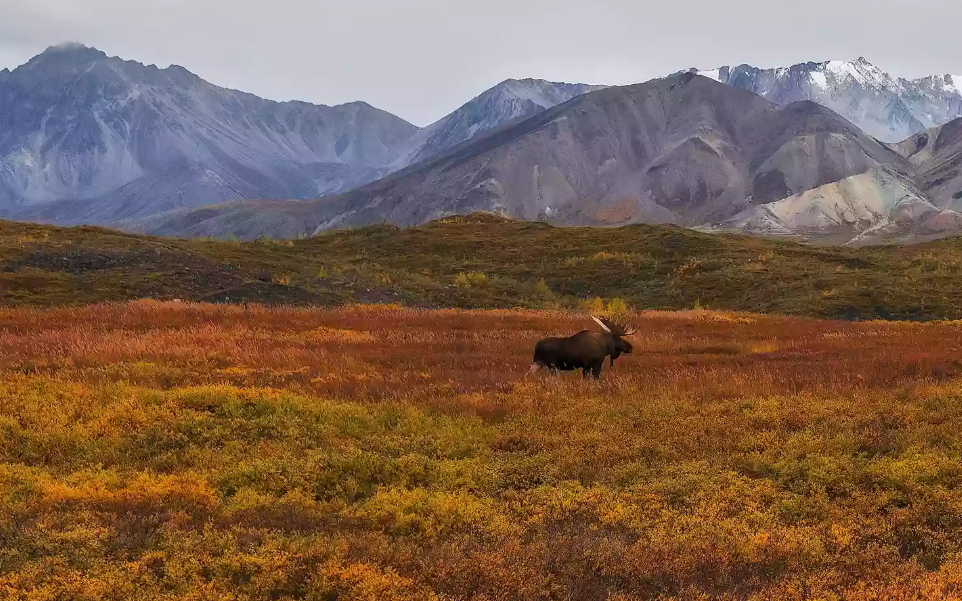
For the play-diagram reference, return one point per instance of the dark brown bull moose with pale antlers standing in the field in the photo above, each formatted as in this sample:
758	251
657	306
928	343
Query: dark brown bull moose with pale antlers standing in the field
585	350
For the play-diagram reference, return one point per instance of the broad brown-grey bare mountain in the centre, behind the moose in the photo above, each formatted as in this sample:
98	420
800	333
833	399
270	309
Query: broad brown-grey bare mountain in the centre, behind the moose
684	150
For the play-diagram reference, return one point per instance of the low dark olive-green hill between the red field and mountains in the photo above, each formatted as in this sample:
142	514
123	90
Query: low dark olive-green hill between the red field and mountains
482	261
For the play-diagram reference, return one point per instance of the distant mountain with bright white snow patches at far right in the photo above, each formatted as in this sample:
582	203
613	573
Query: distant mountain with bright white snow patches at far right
887	107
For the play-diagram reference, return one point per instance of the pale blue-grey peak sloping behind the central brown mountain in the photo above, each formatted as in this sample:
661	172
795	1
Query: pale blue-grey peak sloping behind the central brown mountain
509	101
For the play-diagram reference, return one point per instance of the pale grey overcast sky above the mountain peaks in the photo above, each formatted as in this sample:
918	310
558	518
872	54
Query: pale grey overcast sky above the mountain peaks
420	59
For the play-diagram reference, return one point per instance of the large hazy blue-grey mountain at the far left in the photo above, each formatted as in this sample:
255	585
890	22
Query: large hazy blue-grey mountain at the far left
86	138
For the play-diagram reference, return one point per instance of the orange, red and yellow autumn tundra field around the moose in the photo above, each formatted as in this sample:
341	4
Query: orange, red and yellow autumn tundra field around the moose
176	451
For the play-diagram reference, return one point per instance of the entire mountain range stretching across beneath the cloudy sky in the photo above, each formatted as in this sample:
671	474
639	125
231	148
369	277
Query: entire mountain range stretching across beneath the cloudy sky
85	138
